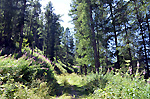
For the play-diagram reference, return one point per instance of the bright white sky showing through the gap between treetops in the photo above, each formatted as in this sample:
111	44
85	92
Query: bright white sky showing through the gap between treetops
61	7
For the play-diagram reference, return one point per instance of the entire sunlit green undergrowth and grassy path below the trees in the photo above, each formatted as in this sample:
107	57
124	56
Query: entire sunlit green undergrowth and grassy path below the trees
34	78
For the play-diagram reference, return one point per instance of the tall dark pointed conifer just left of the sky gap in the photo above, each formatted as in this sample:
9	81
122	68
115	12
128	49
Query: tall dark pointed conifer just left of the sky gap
51	27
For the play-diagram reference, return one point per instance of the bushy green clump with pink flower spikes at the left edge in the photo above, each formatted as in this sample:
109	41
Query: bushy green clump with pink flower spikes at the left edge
19	70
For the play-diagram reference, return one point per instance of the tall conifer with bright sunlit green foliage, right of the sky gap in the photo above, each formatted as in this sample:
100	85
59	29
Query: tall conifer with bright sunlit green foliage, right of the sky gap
82	12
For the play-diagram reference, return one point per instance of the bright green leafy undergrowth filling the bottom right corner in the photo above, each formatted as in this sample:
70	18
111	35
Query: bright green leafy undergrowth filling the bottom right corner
123	86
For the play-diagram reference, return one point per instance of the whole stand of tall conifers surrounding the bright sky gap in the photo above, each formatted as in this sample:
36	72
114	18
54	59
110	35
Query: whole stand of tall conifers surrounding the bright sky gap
107	33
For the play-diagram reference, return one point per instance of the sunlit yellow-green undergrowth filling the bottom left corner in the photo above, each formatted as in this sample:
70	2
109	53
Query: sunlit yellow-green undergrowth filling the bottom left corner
20	91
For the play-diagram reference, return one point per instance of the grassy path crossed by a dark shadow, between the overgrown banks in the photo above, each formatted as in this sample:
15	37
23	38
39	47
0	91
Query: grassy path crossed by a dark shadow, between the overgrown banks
72	86
